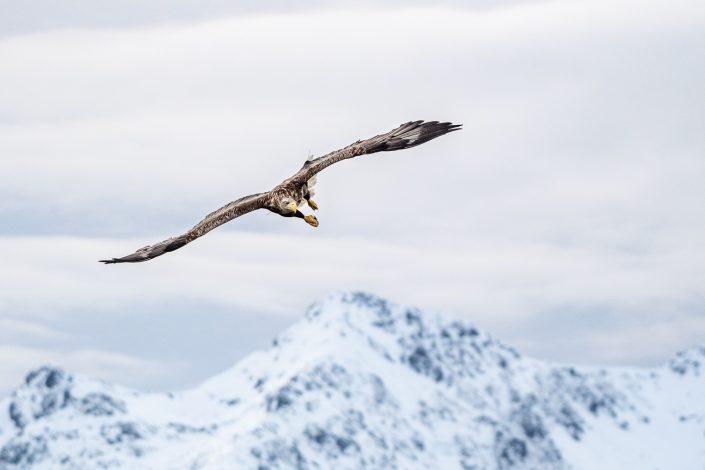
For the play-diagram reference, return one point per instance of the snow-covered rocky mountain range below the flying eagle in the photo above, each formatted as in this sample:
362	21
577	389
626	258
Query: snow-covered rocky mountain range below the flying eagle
364	383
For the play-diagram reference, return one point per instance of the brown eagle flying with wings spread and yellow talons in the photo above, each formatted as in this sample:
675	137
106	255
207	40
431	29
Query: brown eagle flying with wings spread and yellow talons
291	194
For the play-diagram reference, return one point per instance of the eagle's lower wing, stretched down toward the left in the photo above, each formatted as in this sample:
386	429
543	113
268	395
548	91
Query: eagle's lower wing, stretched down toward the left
223	215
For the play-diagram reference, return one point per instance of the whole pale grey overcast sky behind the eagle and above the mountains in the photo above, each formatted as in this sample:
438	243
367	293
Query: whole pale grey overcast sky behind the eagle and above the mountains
567	218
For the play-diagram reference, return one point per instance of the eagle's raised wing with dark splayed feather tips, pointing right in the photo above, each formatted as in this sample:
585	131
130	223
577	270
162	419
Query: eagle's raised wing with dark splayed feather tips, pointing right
405	136
